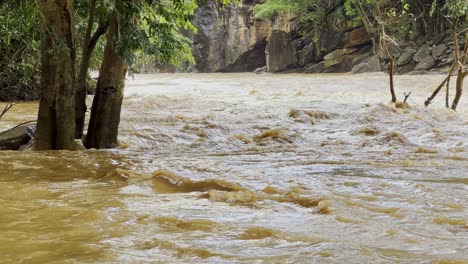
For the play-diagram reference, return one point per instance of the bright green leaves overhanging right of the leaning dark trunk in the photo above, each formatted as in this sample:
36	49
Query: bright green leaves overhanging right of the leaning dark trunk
155	28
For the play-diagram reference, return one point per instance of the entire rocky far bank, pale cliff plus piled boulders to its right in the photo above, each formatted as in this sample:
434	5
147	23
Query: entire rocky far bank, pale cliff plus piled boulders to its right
235	41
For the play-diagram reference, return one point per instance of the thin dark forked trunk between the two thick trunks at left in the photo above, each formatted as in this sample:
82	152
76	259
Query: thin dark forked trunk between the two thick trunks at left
89	43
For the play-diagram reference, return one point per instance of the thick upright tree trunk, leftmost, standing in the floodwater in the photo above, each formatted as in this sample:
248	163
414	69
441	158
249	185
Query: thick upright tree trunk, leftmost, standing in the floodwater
56	117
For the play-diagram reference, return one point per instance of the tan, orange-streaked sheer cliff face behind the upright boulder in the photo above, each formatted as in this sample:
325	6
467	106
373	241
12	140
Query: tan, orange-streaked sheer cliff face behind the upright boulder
233	41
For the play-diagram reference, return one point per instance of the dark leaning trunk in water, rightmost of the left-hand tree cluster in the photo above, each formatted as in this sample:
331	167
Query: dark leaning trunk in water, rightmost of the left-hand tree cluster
105	114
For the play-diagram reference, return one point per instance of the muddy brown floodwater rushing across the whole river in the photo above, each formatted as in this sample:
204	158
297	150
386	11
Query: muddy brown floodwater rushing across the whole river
244	168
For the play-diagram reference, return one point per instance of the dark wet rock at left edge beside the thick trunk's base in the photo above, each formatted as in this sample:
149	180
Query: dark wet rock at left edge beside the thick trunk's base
14	138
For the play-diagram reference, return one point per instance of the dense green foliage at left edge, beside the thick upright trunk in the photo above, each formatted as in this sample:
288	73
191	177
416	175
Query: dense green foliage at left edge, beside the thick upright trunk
19	48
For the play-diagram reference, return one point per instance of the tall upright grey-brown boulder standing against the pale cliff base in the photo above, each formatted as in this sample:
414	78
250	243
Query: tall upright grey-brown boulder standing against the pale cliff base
280	53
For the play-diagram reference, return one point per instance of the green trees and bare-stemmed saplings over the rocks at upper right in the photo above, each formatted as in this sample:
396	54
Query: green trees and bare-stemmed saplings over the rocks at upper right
388	24
